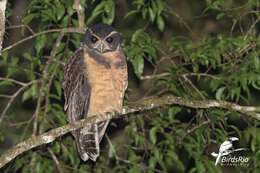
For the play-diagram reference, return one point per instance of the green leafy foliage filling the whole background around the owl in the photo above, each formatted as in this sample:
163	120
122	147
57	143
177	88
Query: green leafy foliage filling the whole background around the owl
222	64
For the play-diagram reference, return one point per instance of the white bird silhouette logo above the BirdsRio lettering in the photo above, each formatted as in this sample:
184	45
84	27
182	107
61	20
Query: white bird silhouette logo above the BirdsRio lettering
226	148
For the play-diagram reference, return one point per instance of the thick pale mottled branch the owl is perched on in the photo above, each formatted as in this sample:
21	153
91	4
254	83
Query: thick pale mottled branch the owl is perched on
143	105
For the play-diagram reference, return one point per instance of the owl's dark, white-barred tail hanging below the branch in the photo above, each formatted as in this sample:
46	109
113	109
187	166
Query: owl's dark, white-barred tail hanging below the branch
88	139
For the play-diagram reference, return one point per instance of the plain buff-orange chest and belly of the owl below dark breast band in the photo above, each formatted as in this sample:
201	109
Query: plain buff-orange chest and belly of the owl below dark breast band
107	86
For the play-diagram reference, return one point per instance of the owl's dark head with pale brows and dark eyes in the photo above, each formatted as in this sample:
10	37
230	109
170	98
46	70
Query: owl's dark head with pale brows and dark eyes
102	38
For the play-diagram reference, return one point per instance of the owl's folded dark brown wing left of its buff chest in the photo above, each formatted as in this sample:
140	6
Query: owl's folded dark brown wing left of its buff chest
76	87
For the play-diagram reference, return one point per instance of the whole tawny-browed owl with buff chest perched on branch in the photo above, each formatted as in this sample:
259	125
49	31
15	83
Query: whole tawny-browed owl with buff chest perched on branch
94	83
